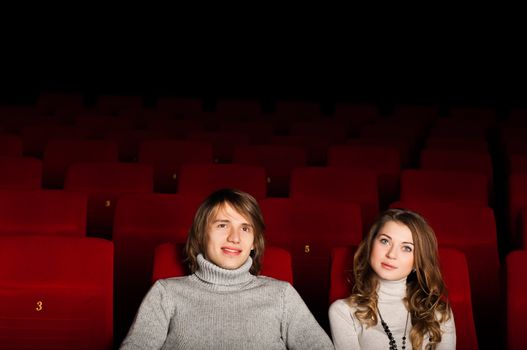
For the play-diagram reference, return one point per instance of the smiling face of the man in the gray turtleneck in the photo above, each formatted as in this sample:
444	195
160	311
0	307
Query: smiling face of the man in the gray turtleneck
229	238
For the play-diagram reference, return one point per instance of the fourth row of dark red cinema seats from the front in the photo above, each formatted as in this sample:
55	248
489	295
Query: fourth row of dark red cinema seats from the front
166	156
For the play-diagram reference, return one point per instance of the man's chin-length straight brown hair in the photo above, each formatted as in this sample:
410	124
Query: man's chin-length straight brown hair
245	205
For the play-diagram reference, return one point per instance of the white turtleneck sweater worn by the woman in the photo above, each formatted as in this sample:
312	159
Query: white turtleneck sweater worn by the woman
349	333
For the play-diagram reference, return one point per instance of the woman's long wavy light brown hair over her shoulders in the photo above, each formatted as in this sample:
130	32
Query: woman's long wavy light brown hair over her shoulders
426	295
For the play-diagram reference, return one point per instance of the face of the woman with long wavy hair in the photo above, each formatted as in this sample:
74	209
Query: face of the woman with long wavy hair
392	254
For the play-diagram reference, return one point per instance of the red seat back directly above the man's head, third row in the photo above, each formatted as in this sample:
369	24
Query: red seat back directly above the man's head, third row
203	179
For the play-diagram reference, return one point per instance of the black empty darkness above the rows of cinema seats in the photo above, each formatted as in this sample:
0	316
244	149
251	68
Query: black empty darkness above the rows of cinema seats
448	58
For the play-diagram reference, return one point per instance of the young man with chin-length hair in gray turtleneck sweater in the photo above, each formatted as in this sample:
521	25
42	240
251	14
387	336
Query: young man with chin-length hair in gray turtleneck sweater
224	304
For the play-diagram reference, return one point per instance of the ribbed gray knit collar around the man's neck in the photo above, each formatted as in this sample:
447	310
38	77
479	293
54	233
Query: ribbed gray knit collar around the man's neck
215	275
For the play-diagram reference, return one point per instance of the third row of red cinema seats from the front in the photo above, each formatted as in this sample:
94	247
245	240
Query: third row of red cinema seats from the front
104	182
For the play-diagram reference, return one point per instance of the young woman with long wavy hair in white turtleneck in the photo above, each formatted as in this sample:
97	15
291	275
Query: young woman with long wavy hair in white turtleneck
399	297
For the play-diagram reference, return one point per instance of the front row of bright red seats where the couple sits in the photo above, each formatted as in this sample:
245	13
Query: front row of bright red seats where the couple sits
67	302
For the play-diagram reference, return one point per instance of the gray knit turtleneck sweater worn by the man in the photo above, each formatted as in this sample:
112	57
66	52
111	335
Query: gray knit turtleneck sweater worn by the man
215	308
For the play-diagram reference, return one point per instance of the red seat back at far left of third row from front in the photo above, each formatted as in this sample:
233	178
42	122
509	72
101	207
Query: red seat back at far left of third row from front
20	172
